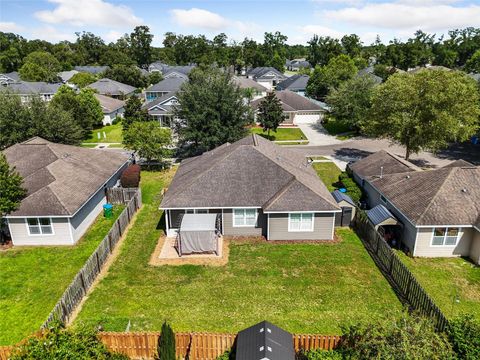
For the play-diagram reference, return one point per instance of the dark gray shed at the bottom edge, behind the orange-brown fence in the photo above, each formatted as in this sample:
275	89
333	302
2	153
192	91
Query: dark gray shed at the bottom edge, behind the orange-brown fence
264	341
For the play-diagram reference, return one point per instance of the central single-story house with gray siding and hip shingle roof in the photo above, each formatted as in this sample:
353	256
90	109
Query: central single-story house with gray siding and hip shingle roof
258	188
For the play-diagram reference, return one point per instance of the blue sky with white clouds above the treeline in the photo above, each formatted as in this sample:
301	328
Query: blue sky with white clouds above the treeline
56	20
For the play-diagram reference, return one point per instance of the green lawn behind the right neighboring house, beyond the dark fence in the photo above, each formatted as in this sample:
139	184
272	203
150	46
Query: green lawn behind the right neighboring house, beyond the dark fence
453	283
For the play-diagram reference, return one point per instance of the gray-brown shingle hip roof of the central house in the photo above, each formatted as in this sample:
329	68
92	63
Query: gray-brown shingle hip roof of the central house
250	172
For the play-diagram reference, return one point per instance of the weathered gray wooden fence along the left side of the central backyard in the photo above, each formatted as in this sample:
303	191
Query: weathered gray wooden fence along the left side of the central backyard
84	279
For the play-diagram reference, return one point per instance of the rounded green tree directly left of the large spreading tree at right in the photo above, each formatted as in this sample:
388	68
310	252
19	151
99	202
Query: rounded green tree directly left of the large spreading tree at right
352	101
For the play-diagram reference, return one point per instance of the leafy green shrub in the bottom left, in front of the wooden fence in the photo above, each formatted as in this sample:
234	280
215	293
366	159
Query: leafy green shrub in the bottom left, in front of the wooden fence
59	343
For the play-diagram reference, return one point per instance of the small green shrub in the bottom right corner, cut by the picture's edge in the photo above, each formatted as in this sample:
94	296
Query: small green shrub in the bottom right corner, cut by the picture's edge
464	335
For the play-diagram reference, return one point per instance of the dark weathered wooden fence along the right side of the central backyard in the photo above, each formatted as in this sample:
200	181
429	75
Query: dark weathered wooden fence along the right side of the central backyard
397	272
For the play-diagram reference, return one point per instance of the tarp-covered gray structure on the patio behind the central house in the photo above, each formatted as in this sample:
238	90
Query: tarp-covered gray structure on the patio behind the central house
198	234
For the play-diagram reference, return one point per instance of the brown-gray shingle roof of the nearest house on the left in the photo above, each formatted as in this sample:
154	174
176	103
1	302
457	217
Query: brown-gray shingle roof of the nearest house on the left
60	178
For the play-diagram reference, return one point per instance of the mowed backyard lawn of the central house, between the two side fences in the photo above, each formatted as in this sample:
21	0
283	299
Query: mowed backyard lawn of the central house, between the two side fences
305	288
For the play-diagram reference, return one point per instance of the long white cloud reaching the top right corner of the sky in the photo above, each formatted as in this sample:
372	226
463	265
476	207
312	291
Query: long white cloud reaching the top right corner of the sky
408	15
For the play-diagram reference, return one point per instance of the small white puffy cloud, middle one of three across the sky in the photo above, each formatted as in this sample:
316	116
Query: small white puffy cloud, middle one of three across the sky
199	18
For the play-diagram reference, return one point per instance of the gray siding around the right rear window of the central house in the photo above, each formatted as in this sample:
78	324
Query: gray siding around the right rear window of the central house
322	228
